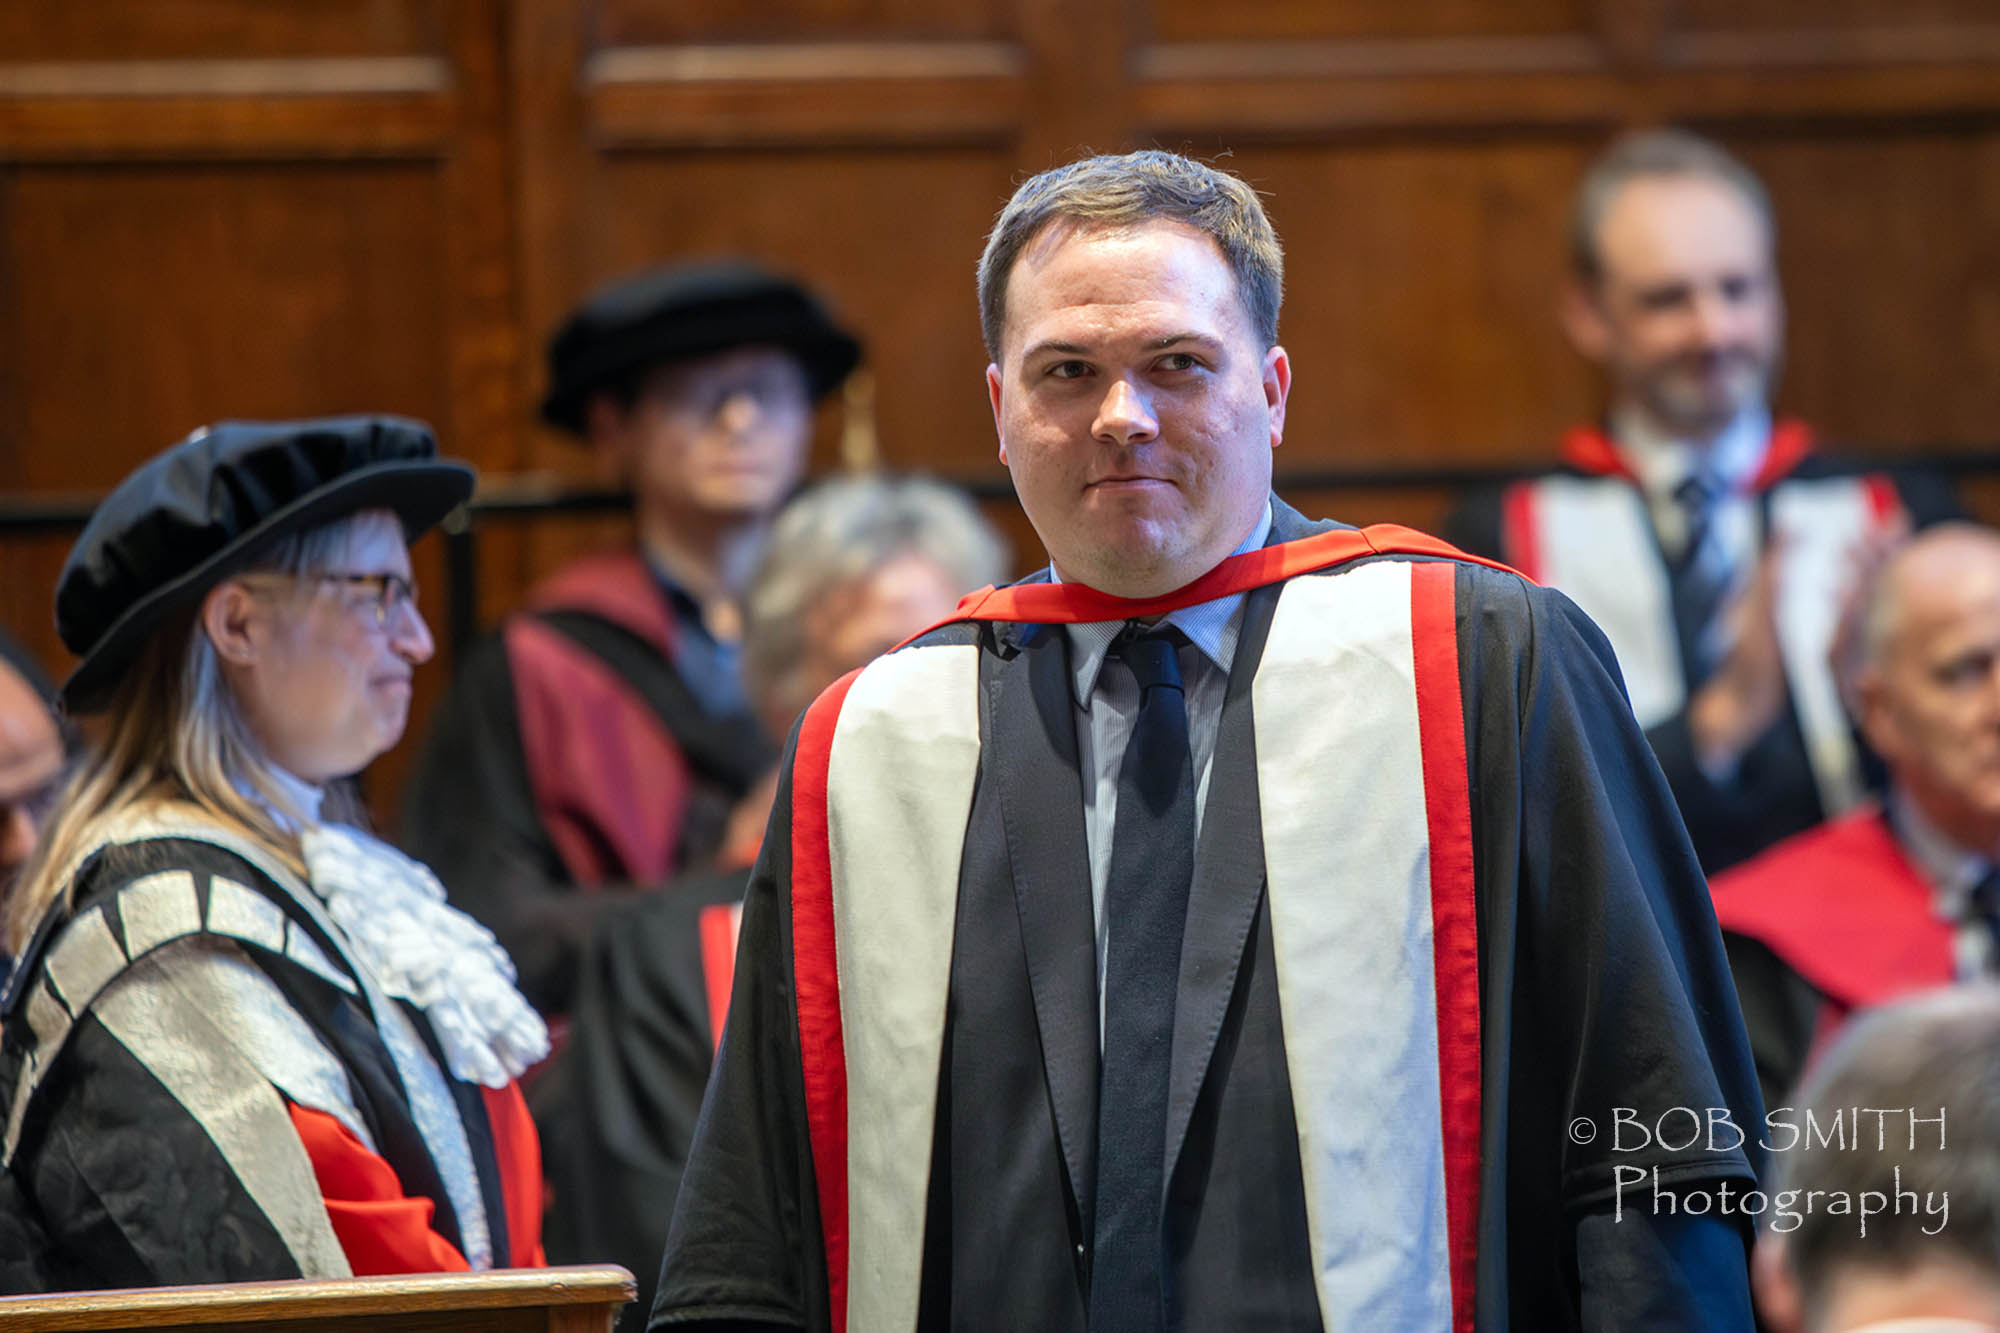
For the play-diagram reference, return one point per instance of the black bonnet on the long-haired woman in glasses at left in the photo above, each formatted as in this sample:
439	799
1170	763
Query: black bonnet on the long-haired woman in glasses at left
203	509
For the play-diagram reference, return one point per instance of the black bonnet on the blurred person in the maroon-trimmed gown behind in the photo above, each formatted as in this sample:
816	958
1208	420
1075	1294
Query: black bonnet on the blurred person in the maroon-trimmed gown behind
687	311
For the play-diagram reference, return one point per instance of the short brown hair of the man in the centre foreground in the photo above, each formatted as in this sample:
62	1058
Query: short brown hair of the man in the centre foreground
1127	191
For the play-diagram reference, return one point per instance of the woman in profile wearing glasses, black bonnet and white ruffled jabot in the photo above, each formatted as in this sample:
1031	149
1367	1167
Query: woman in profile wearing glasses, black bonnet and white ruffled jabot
245	1040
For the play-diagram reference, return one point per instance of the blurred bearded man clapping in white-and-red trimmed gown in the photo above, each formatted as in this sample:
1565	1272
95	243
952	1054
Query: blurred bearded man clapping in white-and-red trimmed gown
1709	541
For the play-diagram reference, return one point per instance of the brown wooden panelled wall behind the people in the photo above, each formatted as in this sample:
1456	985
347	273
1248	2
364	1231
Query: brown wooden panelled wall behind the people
261	209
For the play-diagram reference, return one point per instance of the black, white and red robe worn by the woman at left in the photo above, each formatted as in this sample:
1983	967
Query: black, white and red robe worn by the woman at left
201	1082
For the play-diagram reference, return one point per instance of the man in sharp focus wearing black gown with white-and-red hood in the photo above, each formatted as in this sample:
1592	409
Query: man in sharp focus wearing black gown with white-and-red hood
1333	1028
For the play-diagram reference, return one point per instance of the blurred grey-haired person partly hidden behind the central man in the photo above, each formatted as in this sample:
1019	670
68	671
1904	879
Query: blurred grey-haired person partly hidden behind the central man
855	567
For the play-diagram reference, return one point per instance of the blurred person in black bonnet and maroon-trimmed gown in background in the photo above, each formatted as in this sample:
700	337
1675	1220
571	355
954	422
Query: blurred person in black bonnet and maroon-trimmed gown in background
601	740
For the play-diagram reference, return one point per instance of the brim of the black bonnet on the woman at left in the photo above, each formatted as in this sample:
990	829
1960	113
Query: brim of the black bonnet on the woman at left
419	491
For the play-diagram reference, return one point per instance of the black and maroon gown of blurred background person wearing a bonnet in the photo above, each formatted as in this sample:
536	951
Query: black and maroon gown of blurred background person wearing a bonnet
539	846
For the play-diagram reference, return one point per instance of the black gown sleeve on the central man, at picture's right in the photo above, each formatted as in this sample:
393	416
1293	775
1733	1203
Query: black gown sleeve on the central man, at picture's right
1605	986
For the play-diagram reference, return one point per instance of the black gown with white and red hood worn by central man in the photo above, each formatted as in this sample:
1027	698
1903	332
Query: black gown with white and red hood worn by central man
1445	926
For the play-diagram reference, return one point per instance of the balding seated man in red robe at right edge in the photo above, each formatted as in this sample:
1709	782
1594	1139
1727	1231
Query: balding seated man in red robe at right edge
1901	896
